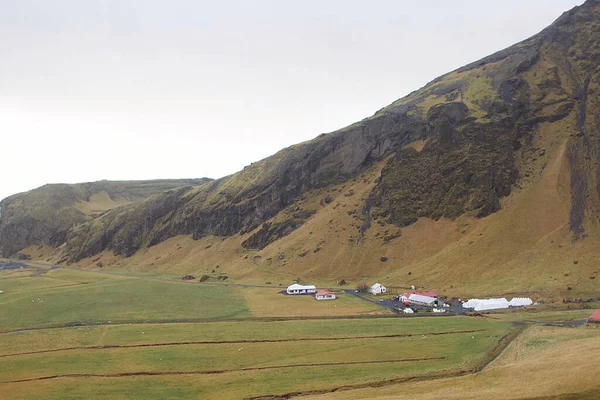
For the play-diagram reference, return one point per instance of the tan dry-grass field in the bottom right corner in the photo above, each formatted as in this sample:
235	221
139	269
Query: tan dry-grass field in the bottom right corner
544	363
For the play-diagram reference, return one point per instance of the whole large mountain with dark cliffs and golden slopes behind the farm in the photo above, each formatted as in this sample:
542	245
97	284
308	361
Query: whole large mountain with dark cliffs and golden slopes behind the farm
487	179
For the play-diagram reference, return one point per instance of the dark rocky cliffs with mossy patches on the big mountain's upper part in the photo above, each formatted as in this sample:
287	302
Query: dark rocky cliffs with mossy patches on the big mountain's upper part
476	127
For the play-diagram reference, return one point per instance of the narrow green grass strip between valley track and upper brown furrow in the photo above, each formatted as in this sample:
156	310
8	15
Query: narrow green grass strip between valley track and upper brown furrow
139	334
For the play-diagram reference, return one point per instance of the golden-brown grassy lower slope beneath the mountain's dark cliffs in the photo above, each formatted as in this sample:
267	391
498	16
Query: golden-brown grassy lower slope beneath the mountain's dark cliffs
525	248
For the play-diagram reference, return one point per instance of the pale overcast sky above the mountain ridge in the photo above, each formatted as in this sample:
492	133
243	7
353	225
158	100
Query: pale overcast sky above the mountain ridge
146	89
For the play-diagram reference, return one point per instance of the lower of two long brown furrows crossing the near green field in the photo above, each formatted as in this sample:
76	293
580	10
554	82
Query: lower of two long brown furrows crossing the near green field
220	371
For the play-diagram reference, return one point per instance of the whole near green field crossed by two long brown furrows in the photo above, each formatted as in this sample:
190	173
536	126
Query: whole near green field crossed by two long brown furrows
236	359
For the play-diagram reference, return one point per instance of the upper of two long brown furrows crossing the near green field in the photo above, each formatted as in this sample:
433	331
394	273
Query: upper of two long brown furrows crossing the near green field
247	341
